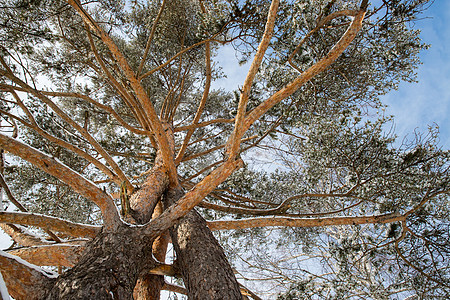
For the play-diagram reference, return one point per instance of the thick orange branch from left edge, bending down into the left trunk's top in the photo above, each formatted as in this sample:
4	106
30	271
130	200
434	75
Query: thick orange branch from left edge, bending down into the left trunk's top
57	169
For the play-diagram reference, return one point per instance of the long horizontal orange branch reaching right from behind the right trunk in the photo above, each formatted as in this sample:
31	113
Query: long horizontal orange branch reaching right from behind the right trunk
303	222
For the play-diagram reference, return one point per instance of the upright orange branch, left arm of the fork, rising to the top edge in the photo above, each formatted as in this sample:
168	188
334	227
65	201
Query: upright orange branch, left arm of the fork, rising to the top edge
239	129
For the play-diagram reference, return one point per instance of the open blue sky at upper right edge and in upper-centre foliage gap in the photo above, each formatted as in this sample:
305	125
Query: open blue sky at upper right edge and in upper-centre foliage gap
414	105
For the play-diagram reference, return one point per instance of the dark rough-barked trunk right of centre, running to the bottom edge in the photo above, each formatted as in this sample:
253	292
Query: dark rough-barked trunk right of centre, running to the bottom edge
200	258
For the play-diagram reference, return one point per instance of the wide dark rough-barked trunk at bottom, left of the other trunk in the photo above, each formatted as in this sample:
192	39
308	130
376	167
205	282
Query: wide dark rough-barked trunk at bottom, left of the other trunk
108	269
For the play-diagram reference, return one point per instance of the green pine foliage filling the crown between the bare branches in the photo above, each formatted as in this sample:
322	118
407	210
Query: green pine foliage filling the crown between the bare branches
325	151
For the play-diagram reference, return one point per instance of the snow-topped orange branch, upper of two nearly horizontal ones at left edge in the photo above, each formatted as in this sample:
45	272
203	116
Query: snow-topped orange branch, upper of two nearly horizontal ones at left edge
50	223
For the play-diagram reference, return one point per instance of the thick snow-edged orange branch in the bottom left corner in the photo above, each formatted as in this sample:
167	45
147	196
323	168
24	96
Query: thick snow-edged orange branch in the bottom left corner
24	280
